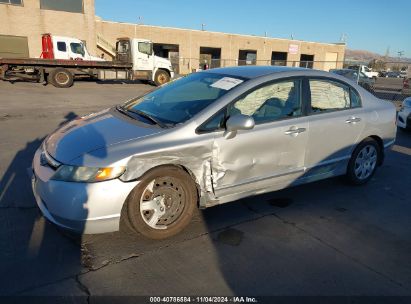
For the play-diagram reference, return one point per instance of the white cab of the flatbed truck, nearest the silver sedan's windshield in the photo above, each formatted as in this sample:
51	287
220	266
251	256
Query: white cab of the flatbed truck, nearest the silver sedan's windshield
146	65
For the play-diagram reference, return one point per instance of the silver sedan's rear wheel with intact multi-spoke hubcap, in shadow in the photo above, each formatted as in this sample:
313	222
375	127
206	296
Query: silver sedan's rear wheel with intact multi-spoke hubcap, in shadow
363	162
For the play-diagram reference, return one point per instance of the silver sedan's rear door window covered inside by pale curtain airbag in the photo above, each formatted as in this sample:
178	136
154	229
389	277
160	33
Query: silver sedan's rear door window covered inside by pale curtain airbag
328	96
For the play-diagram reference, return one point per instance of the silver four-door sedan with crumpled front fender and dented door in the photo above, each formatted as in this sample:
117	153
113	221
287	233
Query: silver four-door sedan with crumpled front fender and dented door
206	139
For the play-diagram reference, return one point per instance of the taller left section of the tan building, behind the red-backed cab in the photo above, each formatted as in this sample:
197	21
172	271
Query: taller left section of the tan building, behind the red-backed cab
22	22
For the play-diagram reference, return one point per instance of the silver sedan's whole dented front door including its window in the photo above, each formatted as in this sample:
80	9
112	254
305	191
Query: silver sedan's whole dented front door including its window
272	154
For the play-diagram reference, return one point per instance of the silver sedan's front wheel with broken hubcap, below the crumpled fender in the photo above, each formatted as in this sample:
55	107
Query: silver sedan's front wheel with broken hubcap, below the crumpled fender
163	203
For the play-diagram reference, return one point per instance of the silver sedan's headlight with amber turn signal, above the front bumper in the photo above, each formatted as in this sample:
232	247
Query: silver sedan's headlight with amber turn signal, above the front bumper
86	174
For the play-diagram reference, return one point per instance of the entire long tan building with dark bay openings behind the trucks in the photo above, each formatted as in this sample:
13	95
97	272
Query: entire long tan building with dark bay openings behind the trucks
21	26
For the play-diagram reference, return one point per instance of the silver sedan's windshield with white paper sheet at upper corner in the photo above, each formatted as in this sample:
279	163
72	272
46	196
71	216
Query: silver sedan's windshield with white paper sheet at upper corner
180	100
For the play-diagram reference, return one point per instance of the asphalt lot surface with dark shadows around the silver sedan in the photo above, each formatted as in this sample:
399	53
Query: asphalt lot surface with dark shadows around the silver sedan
326	238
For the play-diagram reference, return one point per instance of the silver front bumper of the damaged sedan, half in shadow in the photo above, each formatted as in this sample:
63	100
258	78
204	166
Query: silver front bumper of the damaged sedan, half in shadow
80	207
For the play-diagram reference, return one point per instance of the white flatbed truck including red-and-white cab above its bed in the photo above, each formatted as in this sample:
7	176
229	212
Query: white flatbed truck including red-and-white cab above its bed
63	59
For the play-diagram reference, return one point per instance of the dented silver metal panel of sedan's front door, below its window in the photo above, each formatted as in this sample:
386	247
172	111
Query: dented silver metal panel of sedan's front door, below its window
261	153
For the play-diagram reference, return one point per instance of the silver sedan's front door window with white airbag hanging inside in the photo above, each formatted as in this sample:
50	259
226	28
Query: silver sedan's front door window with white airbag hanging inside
271	102
